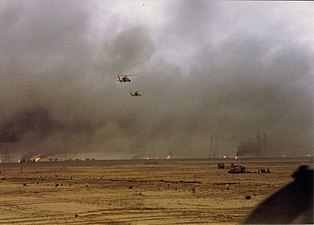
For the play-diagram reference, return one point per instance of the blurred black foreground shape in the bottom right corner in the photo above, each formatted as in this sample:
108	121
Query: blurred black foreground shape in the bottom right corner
292	204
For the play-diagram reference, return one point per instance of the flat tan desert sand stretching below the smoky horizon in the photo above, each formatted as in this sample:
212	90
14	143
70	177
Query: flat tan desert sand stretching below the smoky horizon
141	192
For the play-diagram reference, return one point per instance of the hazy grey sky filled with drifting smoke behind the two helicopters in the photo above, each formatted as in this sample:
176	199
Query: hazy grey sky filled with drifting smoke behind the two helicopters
231	68
